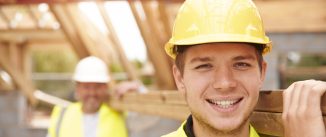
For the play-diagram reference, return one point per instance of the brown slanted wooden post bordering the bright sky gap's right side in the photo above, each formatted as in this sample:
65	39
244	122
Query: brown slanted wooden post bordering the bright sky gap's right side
155	51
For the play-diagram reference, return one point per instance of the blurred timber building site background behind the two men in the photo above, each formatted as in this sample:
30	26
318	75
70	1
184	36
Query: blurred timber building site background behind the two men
42	40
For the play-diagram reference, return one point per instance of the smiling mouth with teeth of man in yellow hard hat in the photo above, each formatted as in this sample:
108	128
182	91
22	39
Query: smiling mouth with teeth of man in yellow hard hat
225	104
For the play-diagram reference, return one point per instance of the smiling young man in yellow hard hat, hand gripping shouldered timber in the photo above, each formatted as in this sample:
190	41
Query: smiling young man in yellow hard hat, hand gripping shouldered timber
218	47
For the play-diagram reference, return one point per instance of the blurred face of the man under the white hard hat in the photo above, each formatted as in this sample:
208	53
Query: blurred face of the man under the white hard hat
91	95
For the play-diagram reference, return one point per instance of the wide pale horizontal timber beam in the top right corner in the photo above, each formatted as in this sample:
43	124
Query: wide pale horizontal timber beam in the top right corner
295	16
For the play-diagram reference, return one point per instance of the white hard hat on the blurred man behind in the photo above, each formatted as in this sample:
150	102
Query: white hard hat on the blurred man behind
91	69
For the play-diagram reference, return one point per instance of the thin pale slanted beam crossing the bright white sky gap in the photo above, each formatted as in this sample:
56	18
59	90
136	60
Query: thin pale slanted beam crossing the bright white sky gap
129	68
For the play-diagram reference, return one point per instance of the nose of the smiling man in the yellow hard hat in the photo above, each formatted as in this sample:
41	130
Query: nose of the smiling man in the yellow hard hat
223	79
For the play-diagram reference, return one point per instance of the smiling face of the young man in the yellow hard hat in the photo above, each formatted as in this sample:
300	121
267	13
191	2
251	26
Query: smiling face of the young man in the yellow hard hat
221	82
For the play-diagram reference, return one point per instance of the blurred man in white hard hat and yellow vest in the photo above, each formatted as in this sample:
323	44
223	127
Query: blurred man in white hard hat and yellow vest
89	117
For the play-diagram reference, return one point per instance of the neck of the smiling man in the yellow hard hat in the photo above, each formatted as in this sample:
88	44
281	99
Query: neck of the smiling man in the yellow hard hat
204	130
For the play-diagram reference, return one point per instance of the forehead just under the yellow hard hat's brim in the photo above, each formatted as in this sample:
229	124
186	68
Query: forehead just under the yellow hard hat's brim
220	50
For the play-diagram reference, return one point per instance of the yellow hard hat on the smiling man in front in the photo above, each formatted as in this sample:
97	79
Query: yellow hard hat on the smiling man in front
209	21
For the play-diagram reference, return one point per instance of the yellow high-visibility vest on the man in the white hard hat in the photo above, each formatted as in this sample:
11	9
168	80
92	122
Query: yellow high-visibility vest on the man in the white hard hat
111	123
